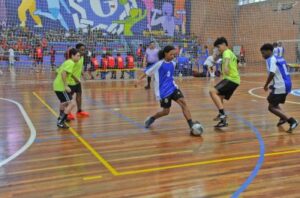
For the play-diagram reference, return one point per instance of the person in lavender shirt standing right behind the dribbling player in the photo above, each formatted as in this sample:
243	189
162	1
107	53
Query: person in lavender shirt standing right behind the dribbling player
150	58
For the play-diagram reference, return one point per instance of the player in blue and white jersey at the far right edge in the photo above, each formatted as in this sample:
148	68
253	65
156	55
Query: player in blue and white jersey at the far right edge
280	87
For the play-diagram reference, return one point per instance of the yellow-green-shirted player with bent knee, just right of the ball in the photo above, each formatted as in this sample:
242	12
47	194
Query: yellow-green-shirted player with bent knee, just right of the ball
231	80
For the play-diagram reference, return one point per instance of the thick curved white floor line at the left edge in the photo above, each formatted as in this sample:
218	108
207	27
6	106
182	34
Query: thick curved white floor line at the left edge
32	133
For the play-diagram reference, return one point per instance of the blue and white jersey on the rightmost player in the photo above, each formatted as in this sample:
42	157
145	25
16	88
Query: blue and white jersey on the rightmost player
282	83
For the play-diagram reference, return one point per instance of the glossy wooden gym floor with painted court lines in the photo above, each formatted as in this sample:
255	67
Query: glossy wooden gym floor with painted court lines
110	154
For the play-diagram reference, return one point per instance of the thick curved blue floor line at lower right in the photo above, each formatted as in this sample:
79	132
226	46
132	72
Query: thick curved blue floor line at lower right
260	160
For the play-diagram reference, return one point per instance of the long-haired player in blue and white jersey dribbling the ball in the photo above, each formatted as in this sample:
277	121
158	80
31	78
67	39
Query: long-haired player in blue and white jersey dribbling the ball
165	88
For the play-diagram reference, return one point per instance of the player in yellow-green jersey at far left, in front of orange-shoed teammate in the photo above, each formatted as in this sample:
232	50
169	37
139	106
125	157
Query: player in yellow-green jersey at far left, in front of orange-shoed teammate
61	88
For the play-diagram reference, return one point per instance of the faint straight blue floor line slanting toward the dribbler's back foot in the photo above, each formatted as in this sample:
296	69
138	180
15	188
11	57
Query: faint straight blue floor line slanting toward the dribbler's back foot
117	114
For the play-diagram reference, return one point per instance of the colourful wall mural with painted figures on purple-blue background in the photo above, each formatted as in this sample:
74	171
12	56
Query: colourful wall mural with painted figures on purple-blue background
127	17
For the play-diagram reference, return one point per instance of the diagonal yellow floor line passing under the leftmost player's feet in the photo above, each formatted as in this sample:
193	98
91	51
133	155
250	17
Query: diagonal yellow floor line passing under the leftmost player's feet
82	140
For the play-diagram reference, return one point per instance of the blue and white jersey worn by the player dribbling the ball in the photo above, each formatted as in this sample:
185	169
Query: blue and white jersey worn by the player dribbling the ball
163	73
